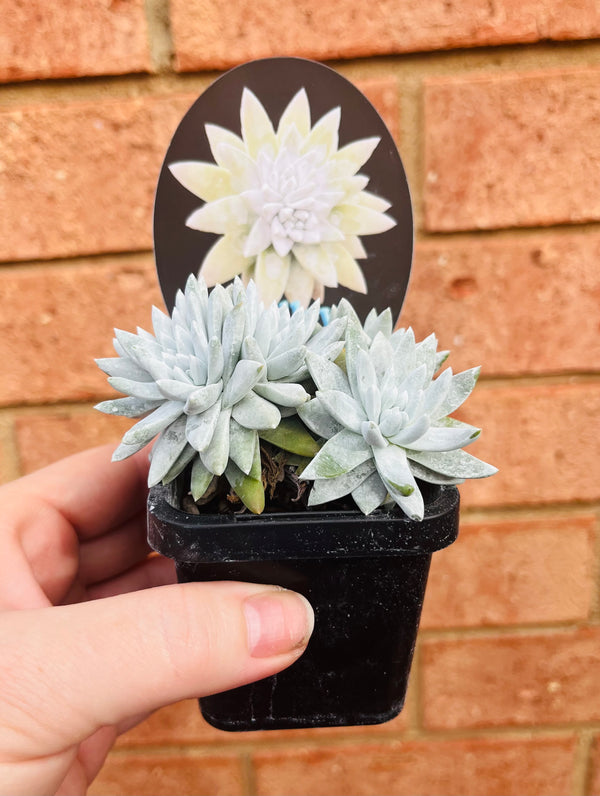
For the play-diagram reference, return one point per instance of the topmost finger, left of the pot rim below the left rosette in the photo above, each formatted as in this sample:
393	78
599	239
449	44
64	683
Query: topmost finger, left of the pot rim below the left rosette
91	492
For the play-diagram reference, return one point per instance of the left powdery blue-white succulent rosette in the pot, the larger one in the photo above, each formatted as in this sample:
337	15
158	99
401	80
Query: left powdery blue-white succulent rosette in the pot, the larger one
212	377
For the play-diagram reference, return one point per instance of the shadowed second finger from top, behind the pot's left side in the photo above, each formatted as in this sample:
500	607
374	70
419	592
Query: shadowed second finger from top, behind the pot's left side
115	552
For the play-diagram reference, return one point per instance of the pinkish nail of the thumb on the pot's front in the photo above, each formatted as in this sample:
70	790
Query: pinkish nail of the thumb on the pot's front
278	621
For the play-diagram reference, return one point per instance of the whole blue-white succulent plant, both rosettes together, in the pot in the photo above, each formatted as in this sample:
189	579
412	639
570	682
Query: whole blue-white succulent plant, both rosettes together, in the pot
358	403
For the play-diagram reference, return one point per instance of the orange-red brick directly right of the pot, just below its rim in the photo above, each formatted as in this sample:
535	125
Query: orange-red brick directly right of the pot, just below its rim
543	572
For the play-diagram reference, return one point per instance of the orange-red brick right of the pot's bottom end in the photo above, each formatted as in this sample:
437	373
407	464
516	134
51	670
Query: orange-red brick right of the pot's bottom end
542	678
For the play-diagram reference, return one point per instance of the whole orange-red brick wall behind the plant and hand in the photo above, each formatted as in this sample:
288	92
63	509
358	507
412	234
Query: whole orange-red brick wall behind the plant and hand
496	110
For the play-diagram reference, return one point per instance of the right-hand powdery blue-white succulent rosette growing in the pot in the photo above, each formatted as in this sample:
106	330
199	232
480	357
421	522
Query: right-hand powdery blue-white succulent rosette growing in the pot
386	420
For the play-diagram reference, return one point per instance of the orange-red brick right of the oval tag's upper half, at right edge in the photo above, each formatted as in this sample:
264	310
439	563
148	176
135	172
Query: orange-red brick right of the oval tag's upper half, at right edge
512	150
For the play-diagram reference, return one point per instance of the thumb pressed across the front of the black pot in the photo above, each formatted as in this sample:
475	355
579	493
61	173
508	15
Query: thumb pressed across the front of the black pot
67	671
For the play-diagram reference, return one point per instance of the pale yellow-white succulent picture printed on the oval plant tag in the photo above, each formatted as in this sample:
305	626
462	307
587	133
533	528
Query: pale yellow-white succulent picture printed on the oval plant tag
288	204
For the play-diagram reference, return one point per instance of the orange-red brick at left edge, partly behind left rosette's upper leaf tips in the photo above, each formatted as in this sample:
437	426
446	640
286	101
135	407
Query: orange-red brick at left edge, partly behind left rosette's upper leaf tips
57	319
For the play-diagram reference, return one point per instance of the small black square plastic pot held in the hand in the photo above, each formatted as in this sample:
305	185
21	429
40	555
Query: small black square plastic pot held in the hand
365	578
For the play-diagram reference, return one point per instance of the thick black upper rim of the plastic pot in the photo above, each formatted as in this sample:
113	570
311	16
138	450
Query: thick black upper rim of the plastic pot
202	538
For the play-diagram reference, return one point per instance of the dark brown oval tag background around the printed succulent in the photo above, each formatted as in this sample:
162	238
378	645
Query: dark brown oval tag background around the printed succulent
179	250
